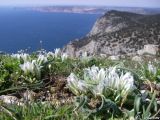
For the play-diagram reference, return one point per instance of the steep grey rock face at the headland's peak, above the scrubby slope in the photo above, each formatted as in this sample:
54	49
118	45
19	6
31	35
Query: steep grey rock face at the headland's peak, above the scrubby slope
113	21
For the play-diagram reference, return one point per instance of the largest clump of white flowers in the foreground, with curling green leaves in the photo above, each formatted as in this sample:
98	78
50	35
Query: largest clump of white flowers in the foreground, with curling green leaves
99	81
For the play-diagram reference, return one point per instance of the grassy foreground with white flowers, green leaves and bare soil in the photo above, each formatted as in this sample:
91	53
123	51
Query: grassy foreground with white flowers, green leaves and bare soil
46	85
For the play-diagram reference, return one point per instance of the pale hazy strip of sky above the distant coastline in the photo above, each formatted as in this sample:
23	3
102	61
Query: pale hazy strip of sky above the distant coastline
129	3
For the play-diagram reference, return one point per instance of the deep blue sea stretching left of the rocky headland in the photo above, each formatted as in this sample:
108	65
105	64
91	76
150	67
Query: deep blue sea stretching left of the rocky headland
24	29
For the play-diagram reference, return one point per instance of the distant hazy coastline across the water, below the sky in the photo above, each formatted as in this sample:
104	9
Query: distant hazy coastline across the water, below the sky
93	9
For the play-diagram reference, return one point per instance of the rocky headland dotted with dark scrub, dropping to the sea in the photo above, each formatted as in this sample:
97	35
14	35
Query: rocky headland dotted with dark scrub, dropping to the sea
118	33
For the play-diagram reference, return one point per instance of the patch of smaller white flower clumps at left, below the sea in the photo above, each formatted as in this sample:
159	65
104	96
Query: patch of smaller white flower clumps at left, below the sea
34	65
